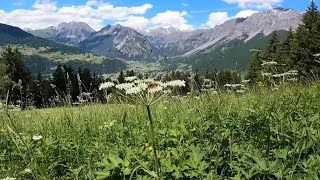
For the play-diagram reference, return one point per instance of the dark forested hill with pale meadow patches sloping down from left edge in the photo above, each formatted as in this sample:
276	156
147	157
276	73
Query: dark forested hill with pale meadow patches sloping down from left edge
43	55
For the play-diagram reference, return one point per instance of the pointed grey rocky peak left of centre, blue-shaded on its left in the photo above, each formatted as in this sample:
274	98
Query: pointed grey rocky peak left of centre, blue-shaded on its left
119	41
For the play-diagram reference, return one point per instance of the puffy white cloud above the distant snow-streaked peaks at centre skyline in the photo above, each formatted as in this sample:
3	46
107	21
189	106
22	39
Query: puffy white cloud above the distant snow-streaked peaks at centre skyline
172	19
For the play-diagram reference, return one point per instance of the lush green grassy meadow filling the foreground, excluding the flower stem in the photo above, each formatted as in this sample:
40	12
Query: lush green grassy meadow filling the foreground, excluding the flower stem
257	135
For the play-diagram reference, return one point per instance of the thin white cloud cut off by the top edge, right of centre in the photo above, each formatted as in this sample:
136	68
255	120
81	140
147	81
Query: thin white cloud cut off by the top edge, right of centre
259	4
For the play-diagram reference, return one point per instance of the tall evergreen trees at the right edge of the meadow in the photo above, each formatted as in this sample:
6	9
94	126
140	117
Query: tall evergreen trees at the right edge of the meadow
294	58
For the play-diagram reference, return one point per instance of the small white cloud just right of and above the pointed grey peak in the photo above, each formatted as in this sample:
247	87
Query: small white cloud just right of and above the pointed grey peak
135	22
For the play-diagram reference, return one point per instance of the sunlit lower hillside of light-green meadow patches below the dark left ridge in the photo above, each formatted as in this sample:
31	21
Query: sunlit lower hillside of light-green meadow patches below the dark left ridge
44	60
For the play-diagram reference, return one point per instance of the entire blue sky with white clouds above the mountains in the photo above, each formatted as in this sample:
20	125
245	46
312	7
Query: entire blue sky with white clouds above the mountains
182	14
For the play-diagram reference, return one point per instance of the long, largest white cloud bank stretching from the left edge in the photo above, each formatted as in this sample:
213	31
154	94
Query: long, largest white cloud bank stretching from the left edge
46	13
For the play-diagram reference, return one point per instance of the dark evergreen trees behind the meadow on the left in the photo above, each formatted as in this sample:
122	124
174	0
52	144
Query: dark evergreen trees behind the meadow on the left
20	87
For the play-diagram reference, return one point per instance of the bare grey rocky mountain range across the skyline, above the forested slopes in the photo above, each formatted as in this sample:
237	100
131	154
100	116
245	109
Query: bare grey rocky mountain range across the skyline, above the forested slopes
125	42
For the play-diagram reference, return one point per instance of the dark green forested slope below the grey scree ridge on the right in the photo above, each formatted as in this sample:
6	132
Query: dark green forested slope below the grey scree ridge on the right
234	55
